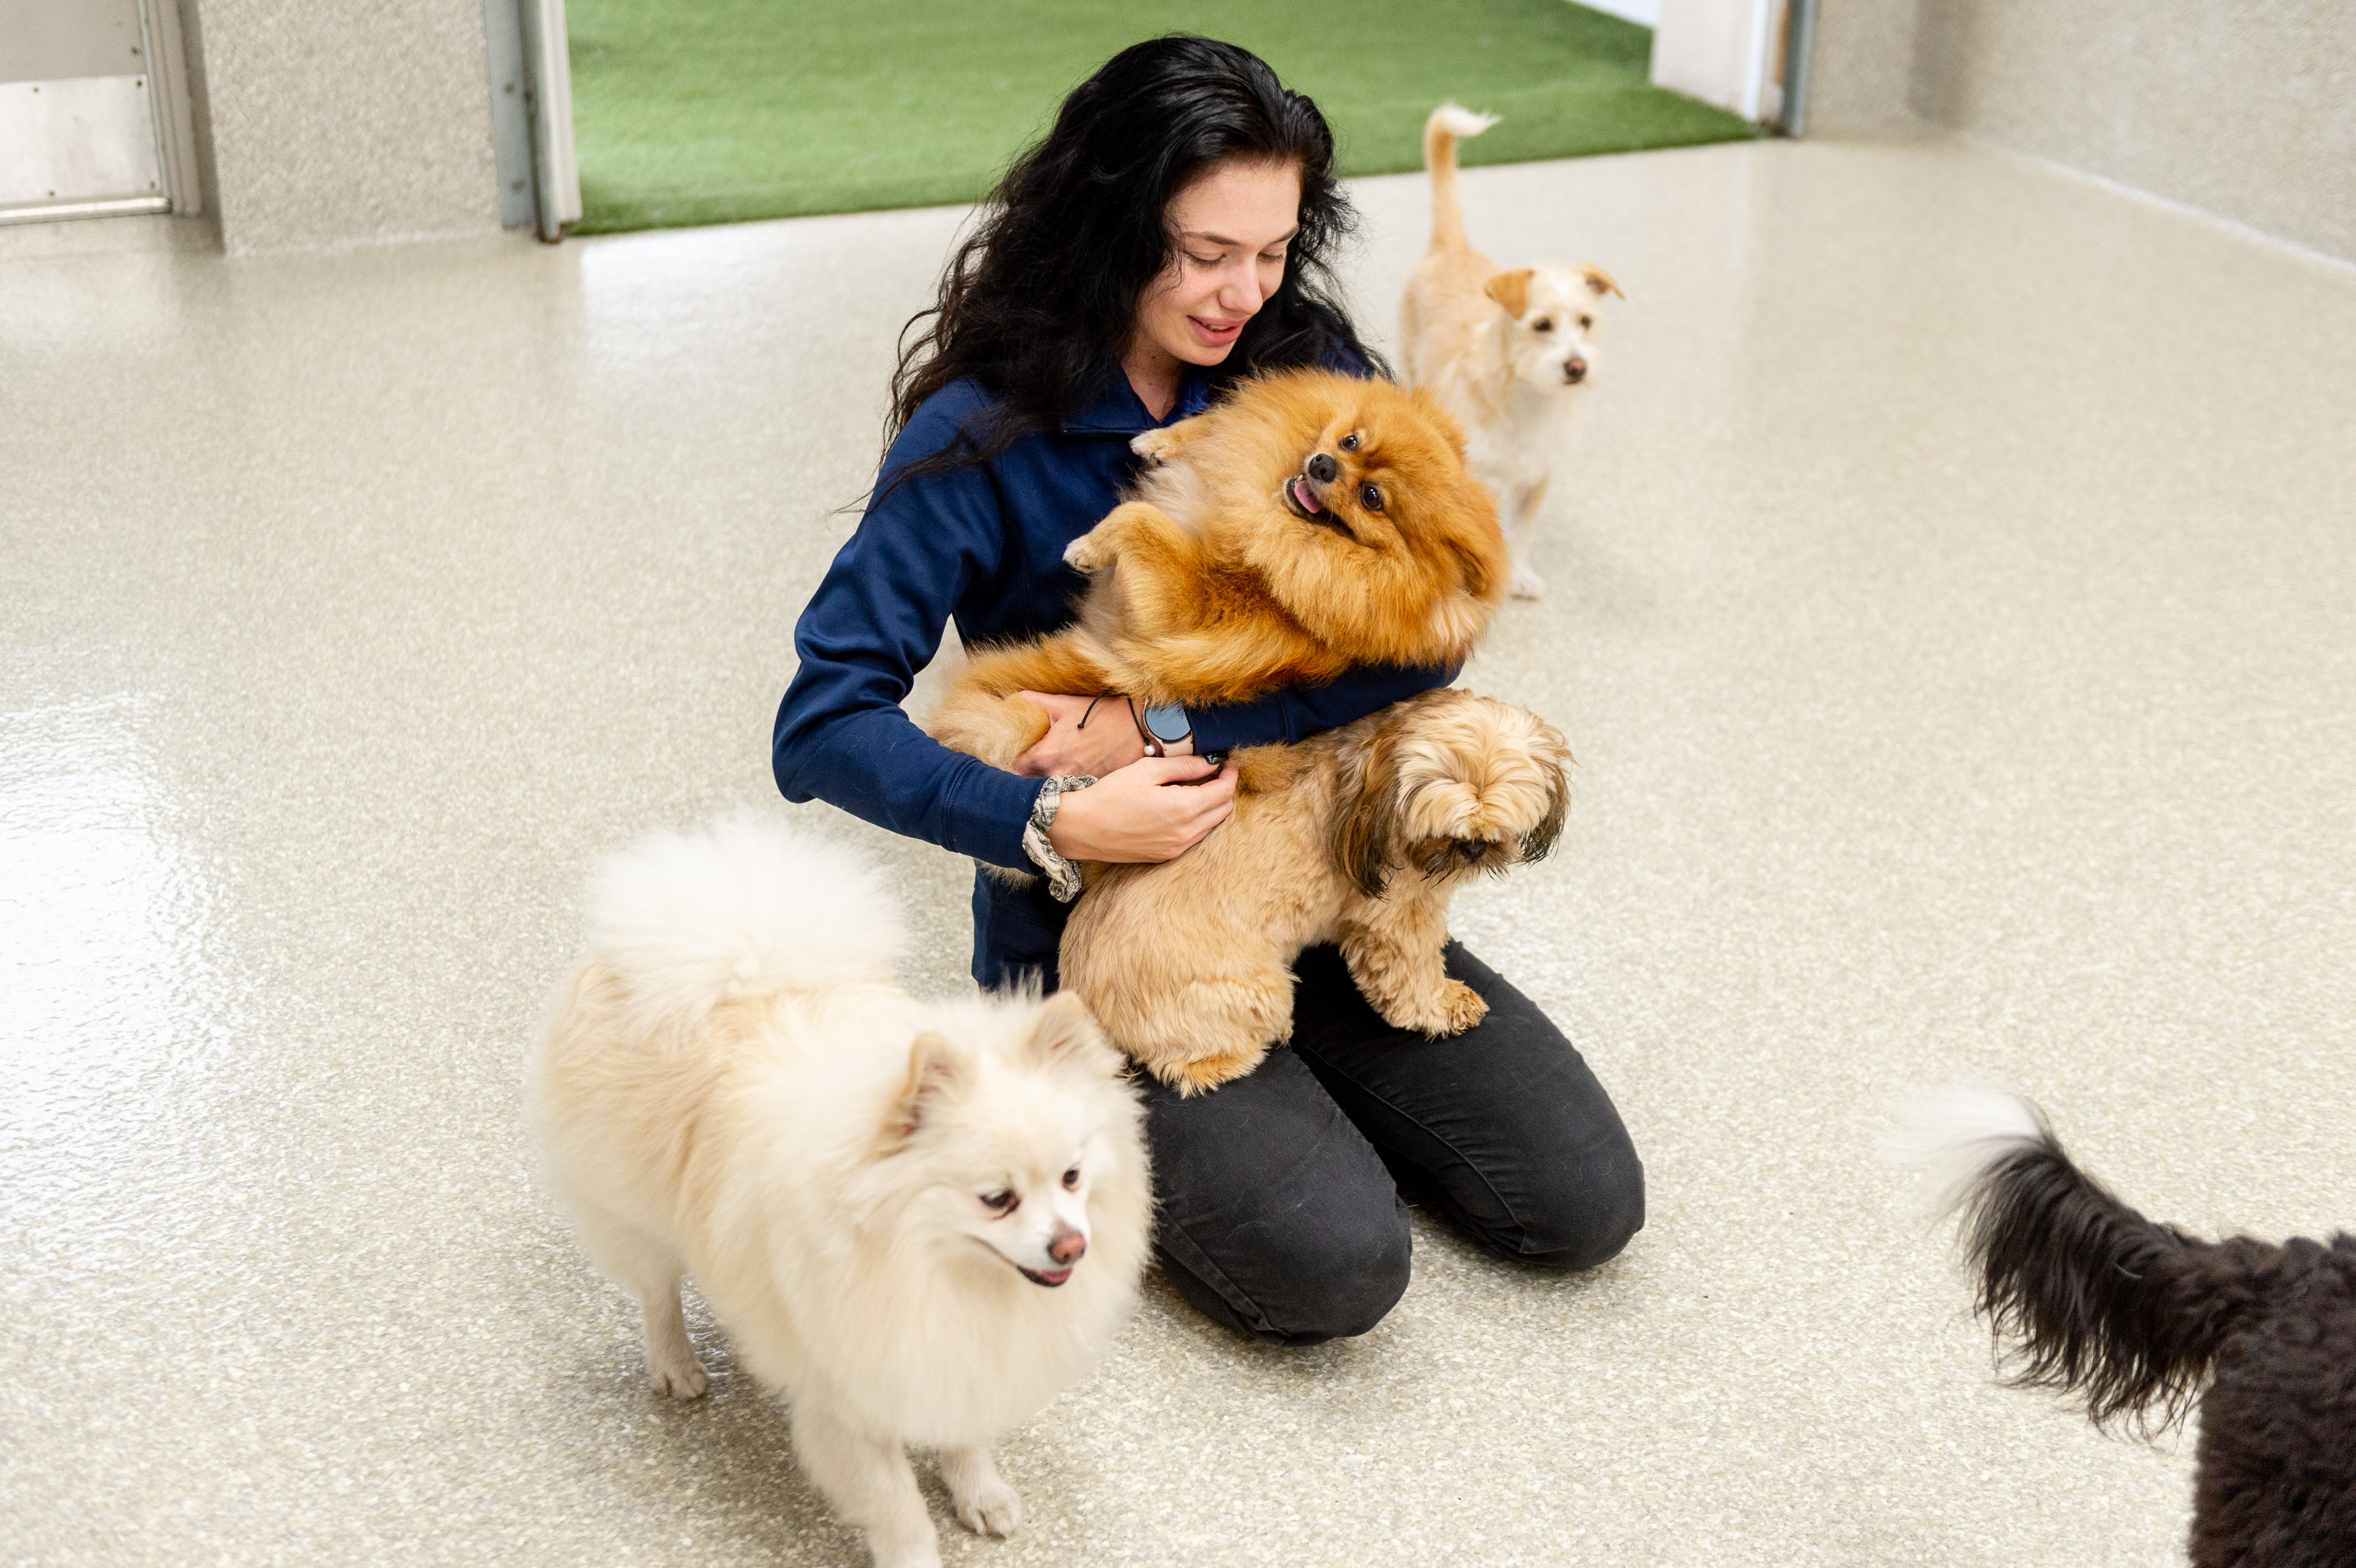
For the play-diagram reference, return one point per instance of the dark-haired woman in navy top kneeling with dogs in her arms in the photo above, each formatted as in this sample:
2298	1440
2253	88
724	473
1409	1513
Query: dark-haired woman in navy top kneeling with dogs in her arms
1170	237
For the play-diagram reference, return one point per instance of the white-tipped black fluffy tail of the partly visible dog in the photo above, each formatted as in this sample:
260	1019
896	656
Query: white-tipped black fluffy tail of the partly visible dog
2093	1298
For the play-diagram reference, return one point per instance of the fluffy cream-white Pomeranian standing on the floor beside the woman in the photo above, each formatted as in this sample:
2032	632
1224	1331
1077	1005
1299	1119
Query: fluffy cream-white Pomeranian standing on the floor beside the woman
918	1220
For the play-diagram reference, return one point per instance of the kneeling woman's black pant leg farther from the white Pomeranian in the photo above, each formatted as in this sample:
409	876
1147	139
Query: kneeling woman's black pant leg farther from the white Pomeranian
1504	1128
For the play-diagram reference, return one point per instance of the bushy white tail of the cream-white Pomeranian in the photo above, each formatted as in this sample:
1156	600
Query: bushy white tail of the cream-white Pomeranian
739	909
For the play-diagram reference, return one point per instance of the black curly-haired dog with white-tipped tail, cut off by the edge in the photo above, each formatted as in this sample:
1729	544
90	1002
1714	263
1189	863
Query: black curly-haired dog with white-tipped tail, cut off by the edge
2147	1324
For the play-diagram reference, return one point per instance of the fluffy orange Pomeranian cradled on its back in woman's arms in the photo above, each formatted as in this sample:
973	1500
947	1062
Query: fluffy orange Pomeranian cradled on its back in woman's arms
1309	525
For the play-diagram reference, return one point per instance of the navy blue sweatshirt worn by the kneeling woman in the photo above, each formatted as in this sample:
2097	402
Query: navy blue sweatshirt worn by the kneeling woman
984	546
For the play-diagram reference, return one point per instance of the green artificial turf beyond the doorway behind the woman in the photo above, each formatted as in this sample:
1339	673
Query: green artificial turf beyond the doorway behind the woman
713	112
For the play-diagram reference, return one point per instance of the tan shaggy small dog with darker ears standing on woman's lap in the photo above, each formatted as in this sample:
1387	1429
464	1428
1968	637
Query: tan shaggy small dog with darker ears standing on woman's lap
1358	838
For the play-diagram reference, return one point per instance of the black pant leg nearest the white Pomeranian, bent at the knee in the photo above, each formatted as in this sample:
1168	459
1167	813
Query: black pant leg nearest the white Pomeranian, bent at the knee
1273	1213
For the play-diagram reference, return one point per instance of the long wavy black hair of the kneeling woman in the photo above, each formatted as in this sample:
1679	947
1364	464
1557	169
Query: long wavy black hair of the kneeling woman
1043	301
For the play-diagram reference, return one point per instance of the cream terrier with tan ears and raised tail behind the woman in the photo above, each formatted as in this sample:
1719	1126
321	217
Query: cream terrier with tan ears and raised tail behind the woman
1507	353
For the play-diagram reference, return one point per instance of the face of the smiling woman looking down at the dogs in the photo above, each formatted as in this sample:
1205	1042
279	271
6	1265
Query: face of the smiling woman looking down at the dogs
1233	228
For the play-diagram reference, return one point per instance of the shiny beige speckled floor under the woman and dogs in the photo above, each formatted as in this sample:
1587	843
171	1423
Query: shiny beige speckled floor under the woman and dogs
1954	617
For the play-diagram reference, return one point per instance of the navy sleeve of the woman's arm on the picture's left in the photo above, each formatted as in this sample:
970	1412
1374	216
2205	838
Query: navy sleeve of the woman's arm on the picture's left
873	624
